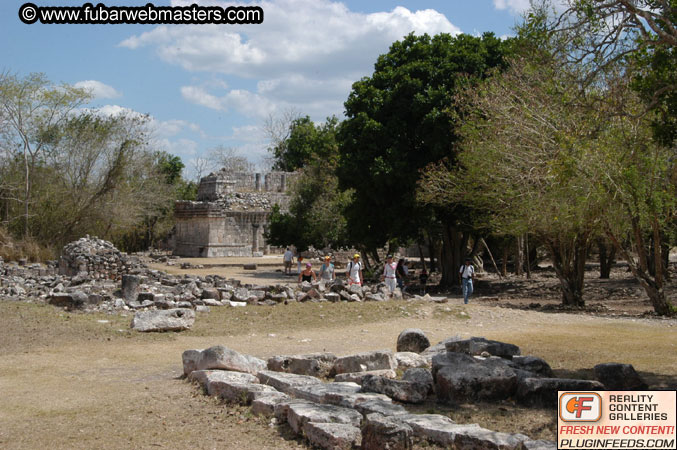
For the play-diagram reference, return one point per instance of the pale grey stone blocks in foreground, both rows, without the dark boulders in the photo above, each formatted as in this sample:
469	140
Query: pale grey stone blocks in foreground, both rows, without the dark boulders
339	414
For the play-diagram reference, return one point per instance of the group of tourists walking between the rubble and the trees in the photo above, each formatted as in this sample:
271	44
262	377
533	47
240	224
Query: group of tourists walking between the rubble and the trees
394	273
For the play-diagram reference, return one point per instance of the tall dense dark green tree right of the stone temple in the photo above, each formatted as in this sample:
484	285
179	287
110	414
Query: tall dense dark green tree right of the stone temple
399	120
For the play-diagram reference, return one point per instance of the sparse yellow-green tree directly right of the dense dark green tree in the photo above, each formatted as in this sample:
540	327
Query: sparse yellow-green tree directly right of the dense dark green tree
521	163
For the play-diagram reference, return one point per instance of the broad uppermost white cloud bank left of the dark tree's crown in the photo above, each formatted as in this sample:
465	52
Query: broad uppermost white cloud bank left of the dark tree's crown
296	36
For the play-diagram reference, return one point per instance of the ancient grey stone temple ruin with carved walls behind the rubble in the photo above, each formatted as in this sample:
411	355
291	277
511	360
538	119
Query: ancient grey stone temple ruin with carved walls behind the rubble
231	214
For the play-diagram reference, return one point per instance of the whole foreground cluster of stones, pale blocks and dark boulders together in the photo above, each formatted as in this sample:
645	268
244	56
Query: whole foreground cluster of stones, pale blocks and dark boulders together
365	404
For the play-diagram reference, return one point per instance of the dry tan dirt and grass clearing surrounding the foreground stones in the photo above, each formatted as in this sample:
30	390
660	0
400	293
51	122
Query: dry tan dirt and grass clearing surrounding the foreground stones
73	381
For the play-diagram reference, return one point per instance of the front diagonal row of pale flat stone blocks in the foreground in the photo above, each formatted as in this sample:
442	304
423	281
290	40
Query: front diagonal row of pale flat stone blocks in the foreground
338	416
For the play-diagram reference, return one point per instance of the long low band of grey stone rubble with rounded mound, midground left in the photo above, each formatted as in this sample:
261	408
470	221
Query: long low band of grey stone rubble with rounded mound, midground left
92	275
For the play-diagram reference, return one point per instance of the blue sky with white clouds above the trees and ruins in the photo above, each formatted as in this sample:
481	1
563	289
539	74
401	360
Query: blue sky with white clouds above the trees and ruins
215	85
